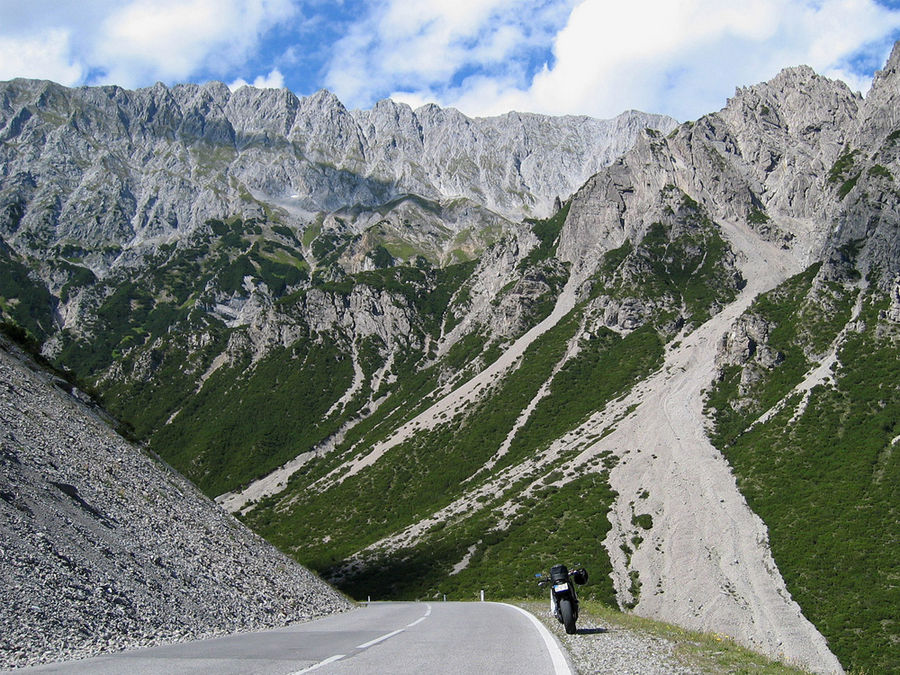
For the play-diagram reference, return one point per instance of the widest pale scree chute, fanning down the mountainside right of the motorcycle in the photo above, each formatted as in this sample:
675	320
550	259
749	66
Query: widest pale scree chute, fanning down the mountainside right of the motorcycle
705	563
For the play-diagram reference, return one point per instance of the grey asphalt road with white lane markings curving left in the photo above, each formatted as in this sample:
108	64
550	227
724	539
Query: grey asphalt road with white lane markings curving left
439	637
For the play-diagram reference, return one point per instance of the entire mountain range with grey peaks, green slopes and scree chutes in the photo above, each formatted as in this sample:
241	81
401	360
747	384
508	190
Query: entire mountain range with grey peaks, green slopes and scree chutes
425	354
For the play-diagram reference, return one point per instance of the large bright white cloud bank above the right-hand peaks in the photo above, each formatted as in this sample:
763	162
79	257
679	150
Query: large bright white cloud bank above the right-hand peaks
682	57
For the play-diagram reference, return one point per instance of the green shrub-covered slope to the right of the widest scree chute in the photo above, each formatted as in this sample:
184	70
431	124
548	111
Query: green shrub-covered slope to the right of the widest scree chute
824	479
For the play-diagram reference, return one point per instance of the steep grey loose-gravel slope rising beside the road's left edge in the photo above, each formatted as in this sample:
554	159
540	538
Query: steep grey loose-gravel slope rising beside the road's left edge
105	549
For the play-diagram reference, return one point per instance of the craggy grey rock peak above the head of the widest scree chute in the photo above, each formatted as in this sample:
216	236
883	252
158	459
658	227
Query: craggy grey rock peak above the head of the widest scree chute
801	158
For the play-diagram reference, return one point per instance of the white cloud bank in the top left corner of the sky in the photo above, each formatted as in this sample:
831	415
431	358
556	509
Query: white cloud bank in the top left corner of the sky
135	42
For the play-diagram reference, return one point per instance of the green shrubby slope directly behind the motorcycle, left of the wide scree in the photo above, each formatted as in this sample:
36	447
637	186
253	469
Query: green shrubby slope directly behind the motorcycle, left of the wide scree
502	562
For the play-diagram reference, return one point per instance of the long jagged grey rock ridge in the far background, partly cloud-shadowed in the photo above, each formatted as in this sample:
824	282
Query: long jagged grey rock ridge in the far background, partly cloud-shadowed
102	167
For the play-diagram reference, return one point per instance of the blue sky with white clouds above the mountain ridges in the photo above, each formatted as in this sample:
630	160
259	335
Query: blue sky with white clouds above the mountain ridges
484	57
